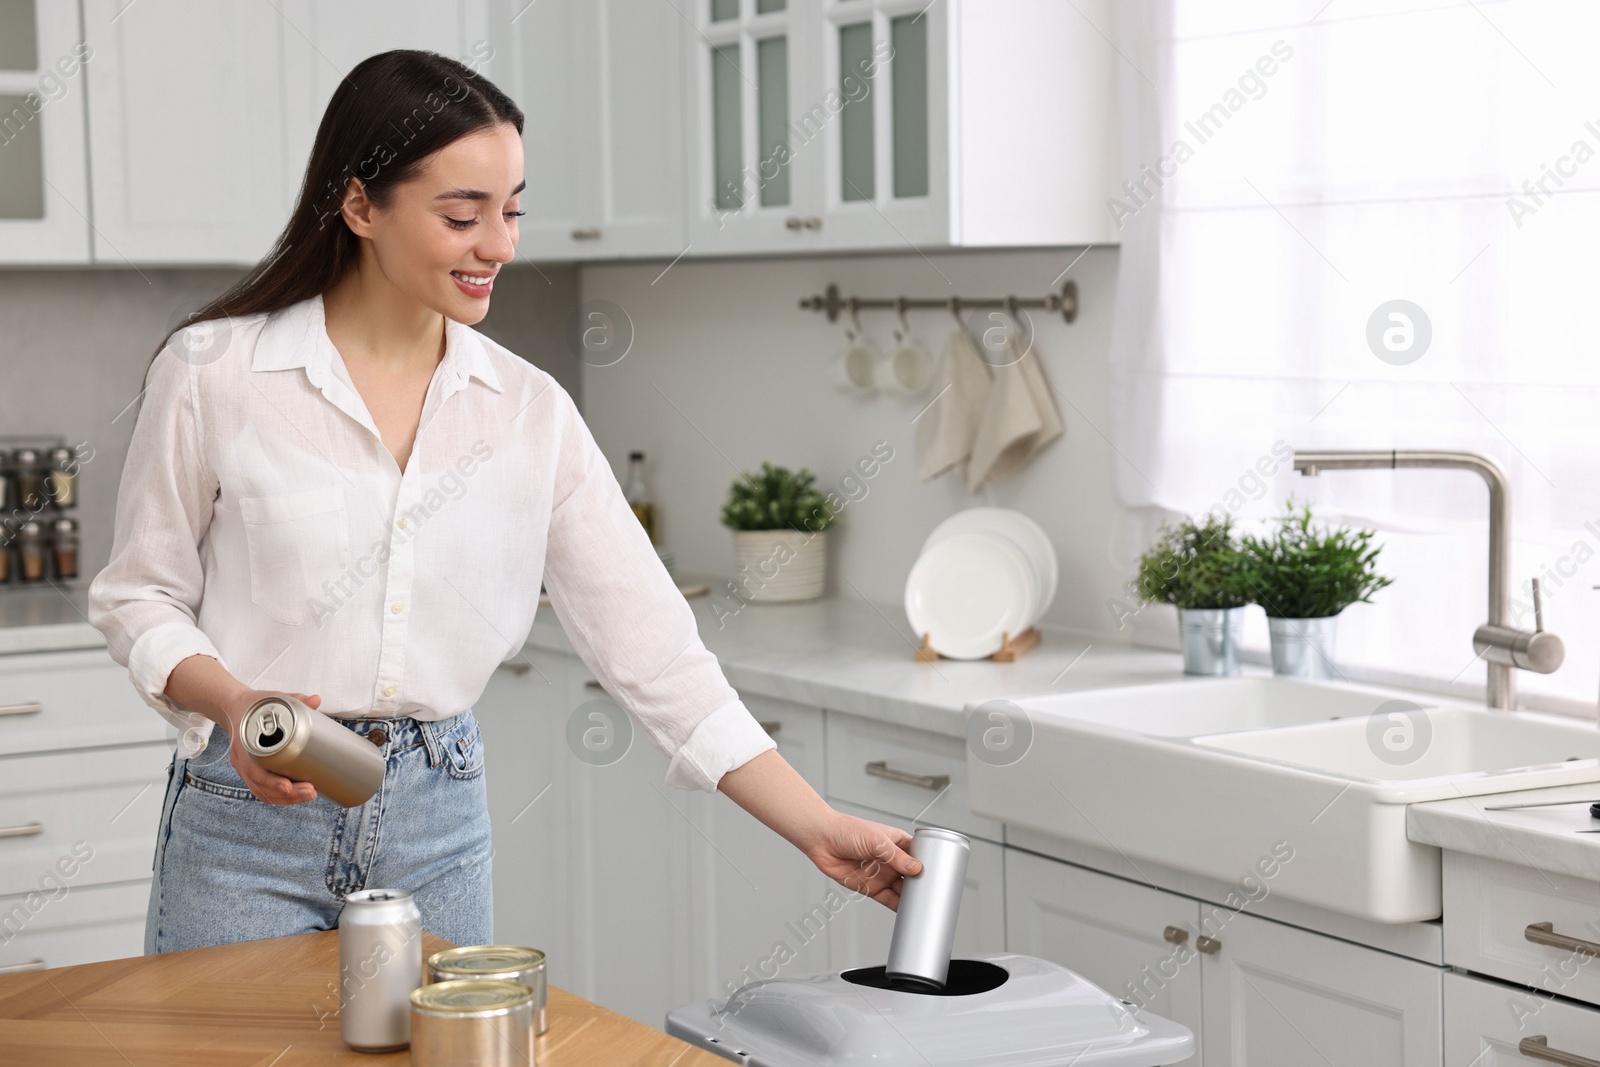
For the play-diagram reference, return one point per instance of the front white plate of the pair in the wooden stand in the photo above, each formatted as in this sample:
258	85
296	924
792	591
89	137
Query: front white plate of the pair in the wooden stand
969	591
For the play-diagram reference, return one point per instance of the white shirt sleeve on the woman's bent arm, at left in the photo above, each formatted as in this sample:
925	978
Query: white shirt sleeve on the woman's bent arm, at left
146	601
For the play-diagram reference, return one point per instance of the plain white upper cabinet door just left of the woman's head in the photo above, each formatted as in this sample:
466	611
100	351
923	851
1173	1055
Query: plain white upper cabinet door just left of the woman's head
188	138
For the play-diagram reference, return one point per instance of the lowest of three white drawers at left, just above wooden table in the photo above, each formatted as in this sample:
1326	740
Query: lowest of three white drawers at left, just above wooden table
76	927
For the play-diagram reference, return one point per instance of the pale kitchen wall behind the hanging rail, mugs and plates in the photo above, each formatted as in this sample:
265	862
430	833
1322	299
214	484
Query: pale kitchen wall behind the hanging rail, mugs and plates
726	372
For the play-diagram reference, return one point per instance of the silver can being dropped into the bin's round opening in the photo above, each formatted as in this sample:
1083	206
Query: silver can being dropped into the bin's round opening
930	903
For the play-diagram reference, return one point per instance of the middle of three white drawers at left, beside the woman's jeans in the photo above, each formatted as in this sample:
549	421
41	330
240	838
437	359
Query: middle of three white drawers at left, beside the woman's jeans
79	818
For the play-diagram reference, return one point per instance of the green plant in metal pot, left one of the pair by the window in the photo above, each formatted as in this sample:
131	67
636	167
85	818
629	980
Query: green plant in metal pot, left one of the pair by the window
1198	567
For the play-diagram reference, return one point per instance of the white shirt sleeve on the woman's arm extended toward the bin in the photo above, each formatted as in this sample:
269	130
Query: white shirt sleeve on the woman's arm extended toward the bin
630	623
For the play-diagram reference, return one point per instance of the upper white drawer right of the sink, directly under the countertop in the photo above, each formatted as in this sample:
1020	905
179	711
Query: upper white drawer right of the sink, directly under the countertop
1494	909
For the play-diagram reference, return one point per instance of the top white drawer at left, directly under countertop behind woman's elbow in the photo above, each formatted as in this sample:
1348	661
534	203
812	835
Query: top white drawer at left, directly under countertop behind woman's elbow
68	701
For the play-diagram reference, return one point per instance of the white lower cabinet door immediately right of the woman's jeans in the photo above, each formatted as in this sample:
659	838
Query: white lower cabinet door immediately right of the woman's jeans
522	716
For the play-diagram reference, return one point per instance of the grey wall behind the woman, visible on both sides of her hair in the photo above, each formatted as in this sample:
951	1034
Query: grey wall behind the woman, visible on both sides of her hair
78	345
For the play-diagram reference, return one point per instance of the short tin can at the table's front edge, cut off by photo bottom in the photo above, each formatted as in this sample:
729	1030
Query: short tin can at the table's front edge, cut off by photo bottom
473	1023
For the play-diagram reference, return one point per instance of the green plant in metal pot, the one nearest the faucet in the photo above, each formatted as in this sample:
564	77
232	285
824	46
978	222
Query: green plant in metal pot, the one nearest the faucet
1305	577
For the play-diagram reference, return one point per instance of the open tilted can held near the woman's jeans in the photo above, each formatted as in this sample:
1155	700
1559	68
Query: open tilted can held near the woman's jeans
287	737
